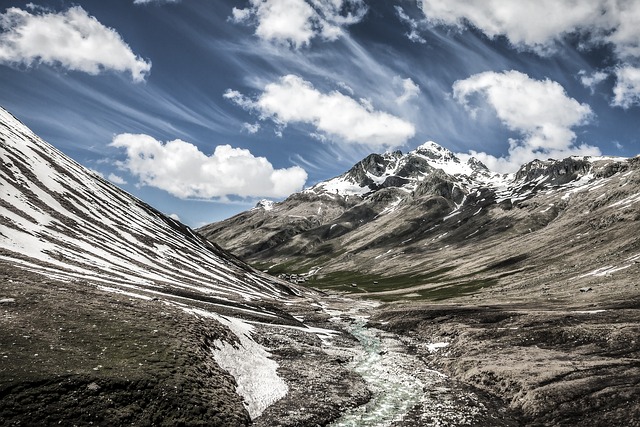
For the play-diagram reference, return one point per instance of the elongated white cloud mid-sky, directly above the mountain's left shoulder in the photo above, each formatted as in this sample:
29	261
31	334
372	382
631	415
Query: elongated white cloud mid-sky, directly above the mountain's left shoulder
294	100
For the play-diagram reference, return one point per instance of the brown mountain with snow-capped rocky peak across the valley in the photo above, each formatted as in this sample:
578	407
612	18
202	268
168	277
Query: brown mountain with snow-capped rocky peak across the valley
426	225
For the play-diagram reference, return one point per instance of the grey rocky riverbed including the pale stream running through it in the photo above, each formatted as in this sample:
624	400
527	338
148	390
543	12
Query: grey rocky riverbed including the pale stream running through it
389	382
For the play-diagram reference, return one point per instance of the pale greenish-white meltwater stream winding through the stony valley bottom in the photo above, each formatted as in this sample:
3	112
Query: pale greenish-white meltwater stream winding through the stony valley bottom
387	371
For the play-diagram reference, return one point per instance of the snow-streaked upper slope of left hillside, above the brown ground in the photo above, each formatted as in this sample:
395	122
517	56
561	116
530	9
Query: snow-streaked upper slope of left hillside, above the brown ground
62	220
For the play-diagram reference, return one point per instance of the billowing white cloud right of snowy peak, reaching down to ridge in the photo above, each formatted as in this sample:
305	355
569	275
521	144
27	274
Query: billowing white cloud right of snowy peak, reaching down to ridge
540	110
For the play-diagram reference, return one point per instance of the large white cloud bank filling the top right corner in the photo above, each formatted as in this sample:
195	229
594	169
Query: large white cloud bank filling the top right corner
540	25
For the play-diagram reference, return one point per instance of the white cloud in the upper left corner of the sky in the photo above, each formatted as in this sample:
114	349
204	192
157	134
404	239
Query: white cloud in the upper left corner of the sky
72	39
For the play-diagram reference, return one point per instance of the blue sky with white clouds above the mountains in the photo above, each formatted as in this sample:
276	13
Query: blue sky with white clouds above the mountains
201	107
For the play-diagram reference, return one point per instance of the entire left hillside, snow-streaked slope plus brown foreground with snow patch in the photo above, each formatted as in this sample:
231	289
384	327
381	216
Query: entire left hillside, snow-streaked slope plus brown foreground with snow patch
112	313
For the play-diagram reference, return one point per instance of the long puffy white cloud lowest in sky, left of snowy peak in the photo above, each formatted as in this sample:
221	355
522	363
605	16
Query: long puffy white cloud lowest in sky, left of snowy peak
181	169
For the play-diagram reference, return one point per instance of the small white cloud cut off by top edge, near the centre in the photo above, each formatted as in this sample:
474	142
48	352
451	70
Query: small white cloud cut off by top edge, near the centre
297	22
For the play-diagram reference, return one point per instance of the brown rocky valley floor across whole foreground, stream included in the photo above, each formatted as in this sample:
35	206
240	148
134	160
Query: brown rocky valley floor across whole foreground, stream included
71	354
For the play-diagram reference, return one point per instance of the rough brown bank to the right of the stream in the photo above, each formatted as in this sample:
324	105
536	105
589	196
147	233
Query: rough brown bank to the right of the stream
548	365
